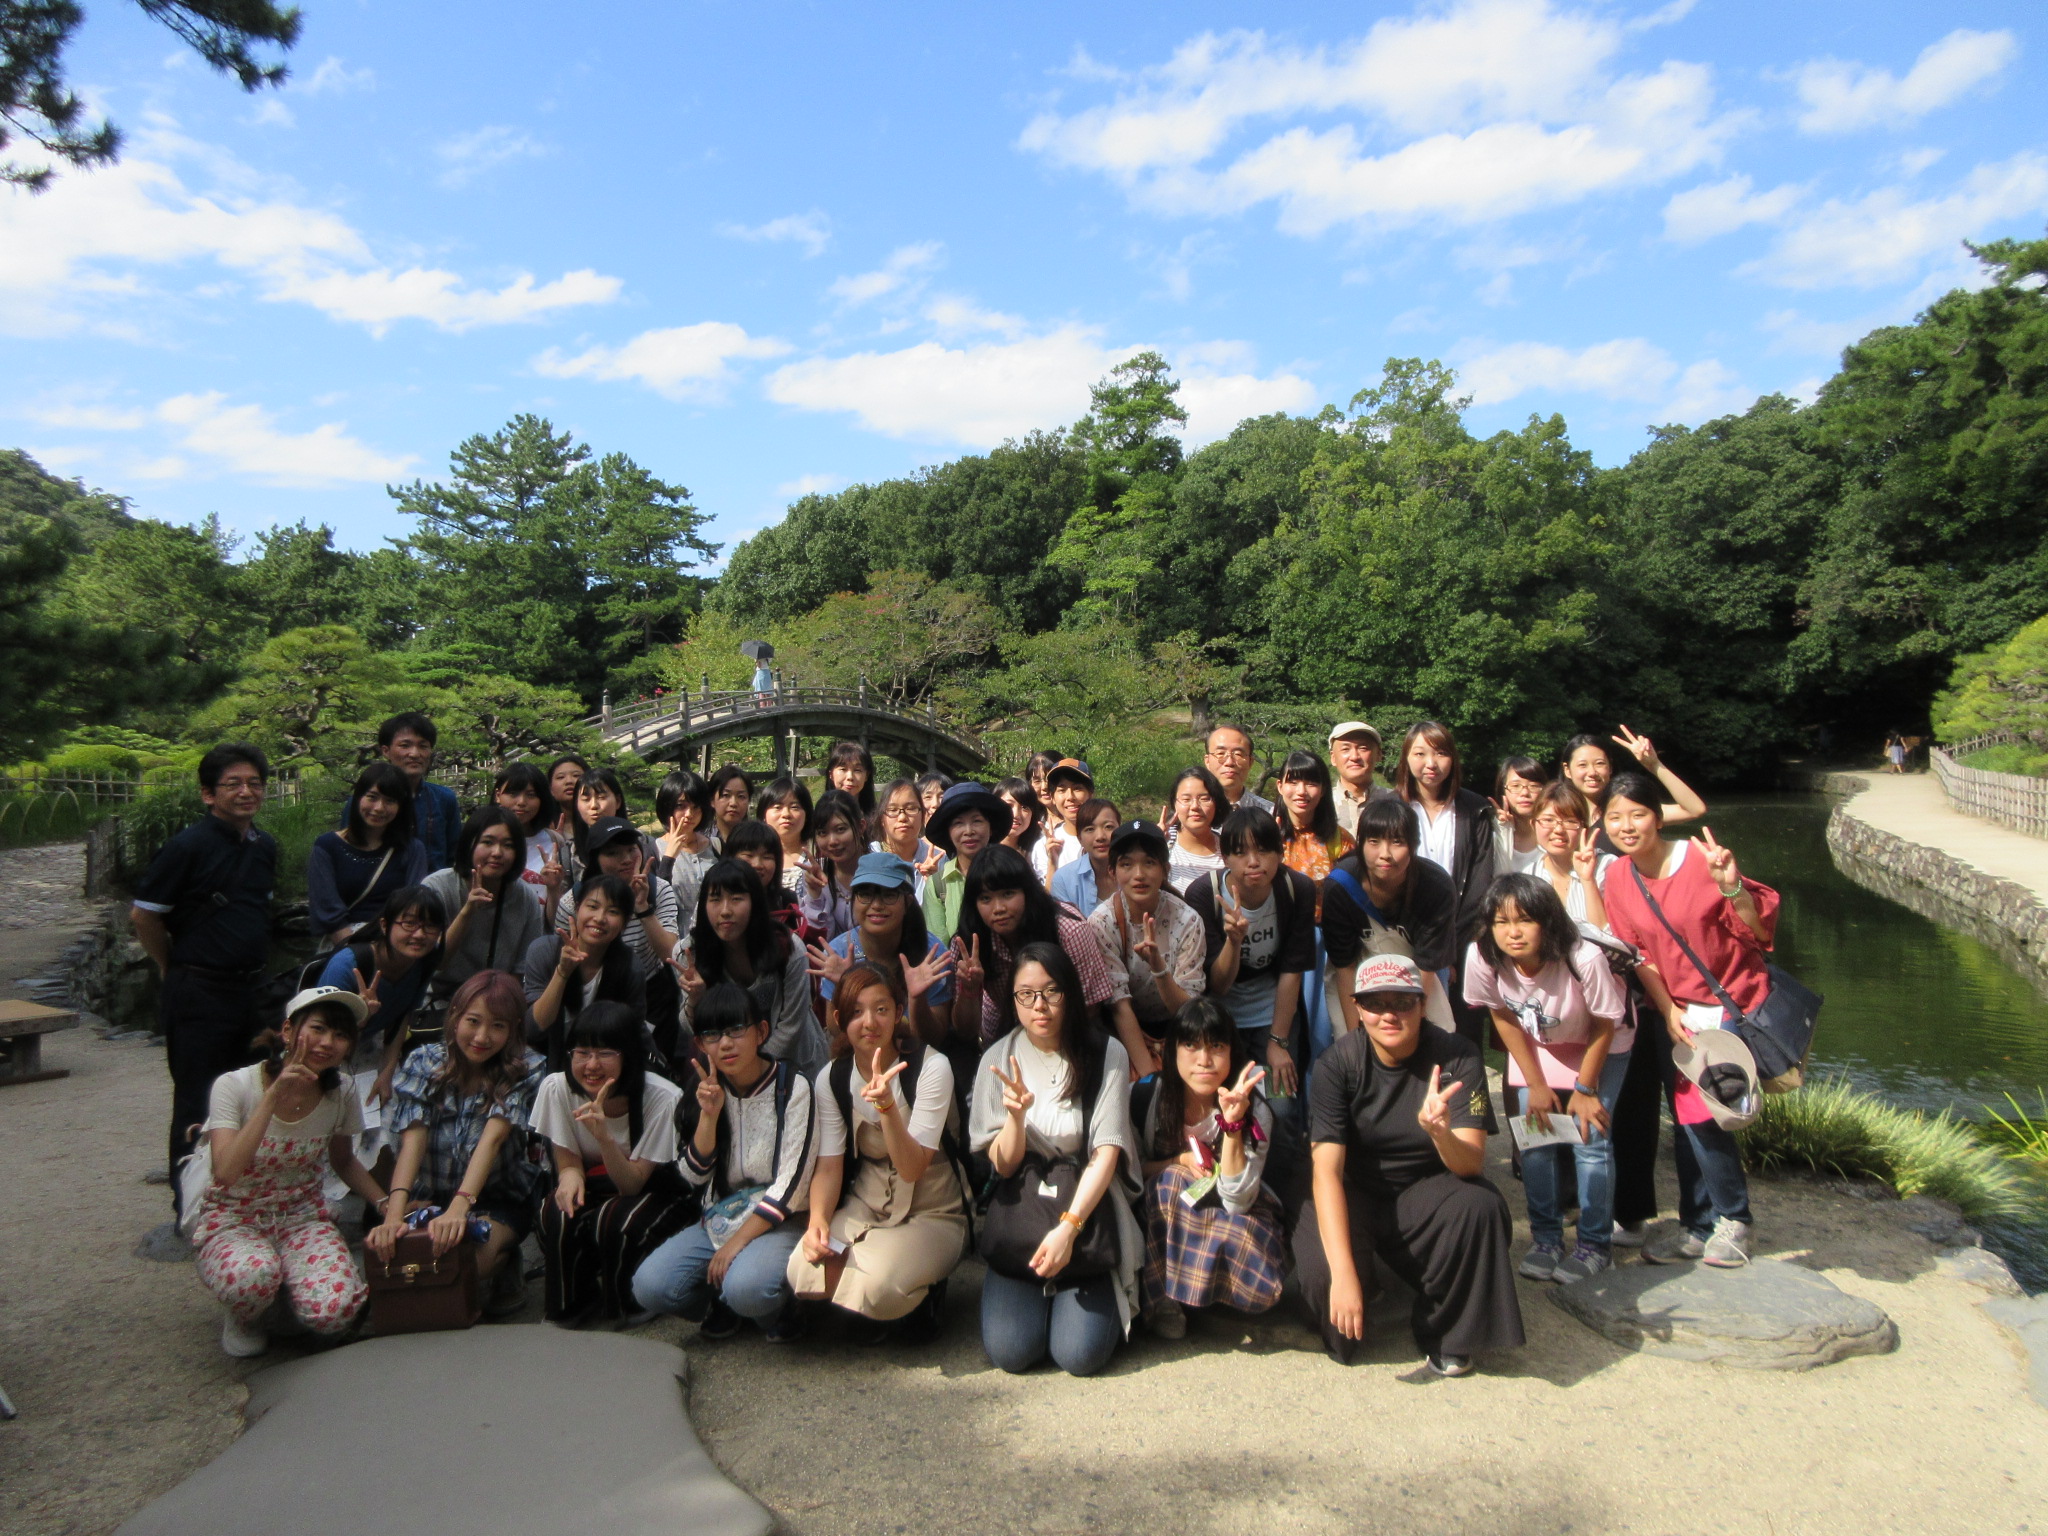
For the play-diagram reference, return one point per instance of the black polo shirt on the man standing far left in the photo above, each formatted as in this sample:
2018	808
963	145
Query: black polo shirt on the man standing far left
214	894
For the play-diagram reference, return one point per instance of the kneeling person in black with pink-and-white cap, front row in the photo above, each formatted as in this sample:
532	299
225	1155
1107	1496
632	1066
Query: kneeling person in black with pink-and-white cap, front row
1398	1127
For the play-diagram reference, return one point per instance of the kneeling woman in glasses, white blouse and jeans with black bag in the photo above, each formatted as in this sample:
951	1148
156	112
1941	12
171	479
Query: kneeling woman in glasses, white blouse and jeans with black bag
1058	1089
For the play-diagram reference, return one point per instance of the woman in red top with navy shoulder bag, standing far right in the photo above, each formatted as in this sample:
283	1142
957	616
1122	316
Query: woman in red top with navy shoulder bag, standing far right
1730	923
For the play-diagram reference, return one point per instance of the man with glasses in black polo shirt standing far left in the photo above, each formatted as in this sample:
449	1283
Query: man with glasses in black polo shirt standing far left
204	914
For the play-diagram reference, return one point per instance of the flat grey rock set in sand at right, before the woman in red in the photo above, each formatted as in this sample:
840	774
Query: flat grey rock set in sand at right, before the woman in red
1768	1316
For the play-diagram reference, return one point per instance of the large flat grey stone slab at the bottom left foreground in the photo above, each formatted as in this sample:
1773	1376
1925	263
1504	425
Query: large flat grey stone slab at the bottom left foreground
466	1435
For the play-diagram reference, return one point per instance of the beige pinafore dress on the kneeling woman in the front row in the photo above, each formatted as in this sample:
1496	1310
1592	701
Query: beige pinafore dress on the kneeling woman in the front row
902	1238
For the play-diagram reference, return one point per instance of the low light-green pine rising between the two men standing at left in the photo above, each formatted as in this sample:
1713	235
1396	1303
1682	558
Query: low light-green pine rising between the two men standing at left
316	695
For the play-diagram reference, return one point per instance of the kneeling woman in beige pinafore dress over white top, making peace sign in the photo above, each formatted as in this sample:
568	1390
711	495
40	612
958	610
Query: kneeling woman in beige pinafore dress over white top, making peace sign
888	1213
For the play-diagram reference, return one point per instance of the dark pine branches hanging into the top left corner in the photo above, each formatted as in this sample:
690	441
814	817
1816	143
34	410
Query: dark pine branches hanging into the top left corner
40	105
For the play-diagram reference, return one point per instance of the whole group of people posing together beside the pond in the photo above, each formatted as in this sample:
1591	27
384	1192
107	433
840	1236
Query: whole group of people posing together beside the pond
767	1054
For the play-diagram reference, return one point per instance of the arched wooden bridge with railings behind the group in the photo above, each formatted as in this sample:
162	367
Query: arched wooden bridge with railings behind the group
675	726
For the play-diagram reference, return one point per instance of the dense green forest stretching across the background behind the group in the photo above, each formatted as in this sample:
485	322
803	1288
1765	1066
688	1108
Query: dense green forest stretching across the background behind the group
1736	591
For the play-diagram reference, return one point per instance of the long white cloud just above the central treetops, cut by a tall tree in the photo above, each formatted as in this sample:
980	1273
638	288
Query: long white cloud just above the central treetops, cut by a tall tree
978	396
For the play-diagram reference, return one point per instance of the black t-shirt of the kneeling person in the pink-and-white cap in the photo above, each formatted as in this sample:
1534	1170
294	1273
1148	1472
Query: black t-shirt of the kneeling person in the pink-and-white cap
1369	1107
